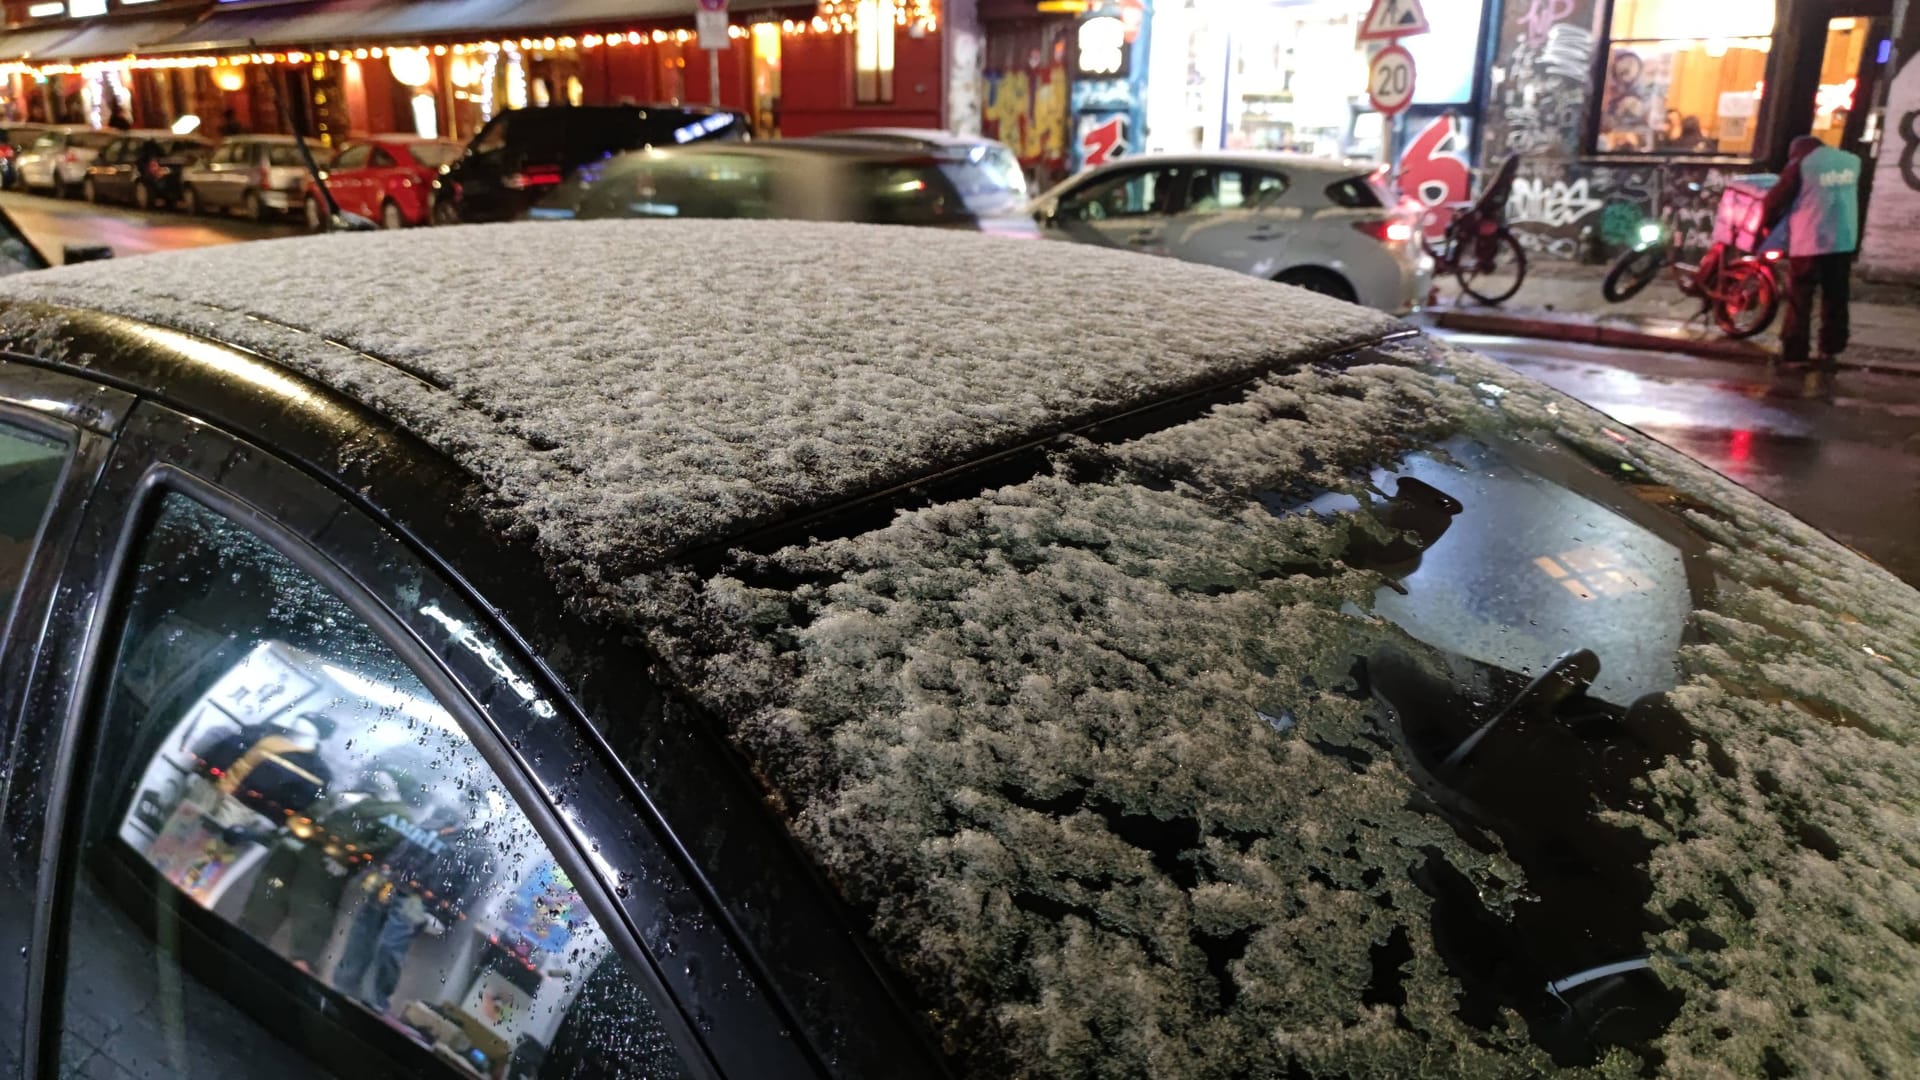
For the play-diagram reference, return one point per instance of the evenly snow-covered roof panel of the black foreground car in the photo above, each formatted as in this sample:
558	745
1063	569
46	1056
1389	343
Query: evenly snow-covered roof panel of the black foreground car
640	387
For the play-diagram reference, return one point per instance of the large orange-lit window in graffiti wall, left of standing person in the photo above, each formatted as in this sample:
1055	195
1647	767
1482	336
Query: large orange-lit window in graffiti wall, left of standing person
1685	78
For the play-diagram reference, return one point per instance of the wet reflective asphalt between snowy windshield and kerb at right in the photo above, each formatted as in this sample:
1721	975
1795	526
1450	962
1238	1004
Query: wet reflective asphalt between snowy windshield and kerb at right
1840	453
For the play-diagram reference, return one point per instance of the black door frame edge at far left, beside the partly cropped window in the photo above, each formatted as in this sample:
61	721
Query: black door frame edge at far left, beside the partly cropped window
87	414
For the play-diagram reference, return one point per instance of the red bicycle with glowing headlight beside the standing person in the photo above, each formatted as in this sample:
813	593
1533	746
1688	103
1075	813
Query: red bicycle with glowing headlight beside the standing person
1740	291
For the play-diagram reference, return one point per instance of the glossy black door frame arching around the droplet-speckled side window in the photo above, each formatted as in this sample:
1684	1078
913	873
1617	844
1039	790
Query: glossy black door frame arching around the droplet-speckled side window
162	451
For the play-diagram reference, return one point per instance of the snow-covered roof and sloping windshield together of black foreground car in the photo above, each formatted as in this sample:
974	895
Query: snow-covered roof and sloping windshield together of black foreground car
1387	716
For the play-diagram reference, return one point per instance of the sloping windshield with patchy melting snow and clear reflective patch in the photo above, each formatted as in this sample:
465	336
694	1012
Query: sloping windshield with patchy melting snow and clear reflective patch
1381	722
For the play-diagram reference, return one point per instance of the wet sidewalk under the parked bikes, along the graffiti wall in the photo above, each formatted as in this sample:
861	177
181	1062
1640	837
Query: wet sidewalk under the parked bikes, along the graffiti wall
1564	303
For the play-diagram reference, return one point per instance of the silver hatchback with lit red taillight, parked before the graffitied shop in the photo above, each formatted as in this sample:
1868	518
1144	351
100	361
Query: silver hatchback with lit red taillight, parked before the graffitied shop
1308	222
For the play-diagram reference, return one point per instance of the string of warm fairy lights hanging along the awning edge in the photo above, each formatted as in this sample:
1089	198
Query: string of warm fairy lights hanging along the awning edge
830	18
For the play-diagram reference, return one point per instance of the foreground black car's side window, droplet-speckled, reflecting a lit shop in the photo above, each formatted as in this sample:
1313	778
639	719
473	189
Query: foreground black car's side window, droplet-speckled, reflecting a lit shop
295	862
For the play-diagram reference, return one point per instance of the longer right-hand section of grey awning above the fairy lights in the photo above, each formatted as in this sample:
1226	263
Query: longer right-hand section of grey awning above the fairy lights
383	22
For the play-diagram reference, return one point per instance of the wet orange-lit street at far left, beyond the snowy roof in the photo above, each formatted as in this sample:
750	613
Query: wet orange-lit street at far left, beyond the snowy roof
53	224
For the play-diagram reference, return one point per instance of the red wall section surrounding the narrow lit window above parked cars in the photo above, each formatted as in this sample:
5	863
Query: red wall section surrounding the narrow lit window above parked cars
817	86
